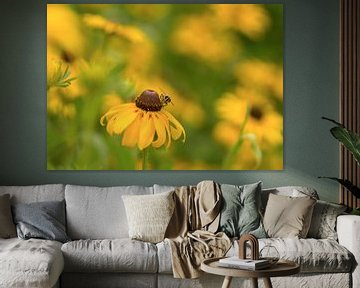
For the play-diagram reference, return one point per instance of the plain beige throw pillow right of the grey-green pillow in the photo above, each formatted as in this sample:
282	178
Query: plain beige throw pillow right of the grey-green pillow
288	217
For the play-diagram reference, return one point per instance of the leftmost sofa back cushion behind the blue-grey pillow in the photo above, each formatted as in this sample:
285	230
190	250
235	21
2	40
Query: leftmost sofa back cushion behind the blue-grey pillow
36	193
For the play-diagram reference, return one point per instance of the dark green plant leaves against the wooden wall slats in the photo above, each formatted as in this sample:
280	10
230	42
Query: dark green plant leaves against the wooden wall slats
351	141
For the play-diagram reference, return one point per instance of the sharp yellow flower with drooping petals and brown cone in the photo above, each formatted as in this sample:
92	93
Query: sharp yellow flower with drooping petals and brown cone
143	123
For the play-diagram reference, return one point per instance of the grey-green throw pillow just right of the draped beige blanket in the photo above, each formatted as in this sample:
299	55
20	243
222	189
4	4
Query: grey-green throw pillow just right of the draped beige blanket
240	210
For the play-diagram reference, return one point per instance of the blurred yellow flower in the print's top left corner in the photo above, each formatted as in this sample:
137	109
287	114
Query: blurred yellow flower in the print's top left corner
64	32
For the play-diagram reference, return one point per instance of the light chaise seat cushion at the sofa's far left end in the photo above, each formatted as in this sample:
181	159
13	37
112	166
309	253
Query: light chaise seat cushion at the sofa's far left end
30	263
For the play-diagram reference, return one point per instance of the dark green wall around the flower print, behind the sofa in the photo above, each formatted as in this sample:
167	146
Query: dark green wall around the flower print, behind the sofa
311	91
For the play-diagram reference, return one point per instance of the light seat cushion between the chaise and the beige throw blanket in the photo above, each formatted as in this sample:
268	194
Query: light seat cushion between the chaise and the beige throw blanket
117	255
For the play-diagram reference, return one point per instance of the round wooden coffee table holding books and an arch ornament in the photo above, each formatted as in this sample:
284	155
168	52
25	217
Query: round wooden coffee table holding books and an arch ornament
281	268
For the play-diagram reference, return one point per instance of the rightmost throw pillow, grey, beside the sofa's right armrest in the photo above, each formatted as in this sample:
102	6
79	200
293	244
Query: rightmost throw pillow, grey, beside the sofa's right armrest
323	223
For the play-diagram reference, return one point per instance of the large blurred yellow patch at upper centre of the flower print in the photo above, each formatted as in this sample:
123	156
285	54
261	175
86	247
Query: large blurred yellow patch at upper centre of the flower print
200	36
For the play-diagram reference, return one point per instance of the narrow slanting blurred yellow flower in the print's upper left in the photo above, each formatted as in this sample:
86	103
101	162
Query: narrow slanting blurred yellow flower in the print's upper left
128	32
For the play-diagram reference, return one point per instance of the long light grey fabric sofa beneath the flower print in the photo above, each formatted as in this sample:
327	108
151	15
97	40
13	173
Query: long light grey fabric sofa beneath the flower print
101	254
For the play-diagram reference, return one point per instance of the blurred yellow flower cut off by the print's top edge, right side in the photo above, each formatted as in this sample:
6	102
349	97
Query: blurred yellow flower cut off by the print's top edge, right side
250	19
